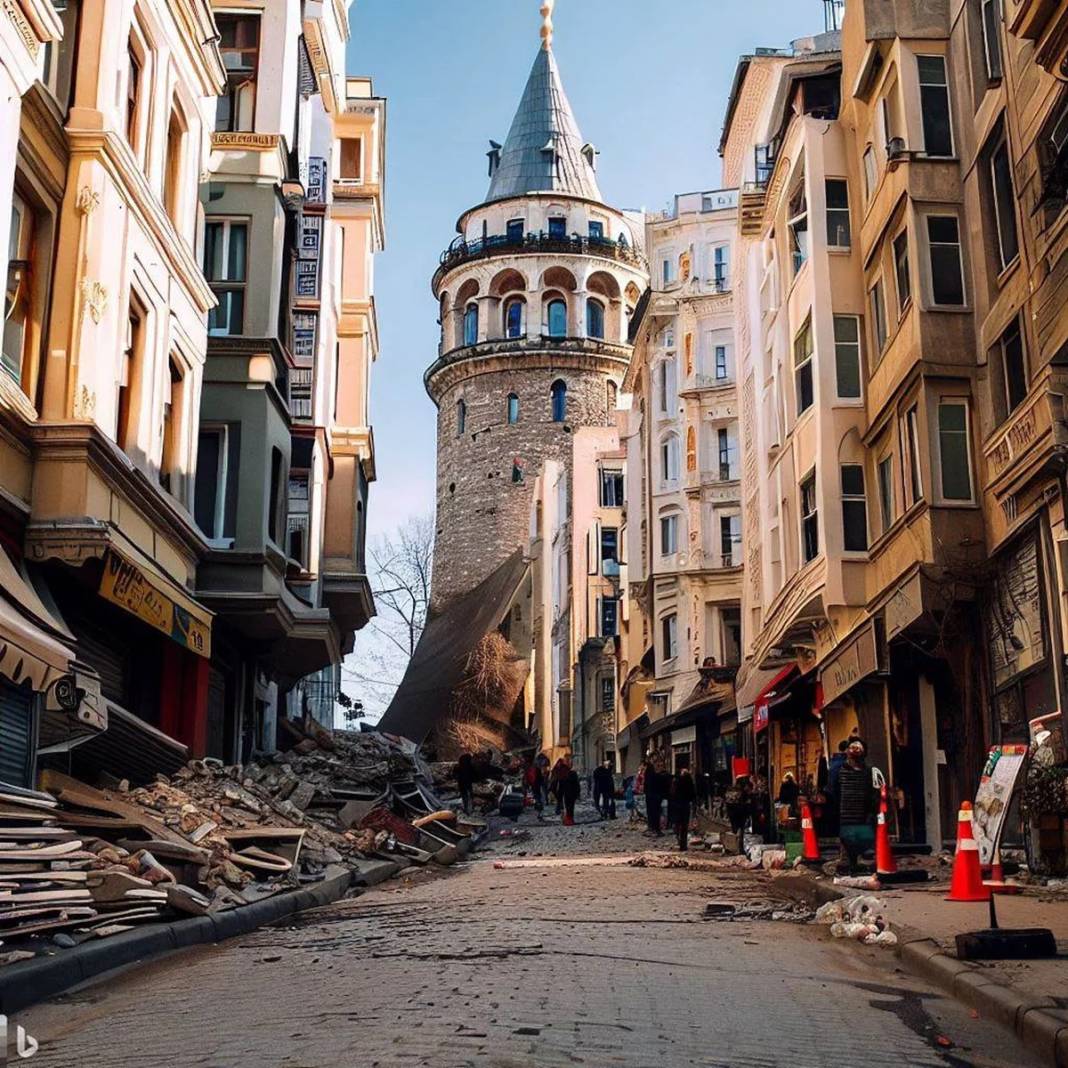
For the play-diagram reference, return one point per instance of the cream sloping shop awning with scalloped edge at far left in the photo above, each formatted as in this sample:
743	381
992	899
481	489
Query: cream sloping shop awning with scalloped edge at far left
33	642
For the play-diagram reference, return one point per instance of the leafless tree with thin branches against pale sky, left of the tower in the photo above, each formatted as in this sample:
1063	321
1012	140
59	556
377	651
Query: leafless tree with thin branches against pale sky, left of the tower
400	567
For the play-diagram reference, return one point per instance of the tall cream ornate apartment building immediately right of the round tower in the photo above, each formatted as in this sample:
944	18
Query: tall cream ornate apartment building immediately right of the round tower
684	511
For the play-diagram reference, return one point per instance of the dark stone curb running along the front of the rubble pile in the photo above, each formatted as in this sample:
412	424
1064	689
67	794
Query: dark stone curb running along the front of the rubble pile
36	981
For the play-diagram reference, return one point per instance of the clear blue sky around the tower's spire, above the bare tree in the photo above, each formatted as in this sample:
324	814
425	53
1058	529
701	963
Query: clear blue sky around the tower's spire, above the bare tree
649	85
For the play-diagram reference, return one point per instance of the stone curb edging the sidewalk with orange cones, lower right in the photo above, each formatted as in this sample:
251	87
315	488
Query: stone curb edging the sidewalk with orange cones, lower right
1028	1017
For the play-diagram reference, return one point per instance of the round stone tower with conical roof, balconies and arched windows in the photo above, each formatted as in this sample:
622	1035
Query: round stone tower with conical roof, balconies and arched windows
536	294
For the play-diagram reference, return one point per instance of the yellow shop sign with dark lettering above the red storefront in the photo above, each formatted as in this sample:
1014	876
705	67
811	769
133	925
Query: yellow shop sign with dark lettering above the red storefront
145	591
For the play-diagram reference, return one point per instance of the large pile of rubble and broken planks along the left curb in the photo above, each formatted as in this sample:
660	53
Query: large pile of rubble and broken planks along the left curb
80	862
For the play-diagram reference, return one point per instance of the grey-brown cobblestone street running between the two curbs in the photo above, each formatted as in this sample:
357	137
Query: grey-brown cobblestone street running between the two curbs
590	964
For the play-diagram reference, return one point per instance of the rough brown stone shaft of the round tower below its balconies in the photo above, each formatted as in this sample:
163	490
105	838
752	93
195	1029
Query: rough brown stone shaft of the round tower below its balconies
483	516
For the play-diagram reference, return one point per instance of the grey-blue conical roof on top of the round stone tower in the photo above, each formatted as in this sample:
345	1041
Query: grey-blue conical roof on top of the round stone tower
544	149
